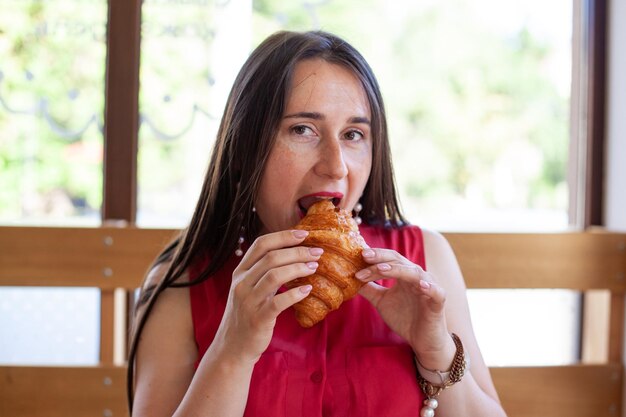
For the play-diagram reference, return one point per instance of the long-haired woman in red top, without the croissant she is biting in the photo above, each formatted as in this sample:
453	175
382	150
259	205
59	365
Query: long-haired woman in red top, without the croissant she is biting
304	121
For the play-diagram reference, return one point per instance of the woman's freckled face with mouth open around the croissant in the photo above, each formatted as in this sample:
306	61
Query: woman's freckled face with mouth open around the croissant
323	147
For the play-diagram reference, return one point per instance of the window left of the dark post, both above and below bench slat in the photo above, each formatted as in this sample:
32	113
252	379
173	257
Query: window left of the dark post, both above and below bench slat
52	63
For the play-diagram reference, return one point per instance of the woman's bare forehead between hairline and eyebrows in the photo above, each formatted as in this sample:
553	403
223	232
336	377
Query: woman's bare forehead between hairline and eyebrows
317	83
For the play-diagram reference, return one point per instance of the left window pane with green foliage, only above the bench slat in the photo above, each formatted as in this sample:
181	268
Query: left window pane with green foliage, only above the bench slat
51	104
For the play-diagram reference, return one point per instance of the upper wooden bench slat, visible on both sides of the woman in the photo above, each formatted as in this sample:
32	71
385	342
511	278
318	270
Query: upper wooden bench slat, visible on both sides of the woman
118	257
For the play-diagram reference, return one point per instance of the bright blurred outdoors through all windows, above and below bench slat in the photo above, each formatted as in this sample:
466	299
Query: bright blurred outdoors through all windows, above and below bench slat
482	103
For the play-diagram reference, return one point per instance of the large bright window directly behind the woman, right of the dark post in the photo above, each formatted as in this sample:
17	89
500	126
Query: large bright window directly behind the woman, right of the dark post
478	100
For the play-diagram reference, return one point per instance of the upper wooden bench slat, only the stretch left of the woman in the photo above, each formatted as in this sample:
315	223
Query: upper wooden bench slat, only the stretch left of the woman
95	257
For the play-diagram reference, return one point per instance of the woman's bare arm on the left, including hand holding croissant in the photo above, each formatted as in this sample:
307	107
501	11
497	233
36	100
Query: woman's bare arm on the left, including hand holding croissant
166	384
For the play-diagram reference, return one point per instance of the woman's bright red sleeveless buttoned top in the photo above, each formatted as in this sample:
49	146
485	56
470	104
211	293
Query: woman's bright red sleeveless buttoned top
350	364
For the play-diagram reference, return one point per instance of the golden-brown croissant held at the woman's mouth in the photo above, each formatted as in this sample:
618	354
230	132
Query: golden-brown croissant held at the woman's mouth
334	230
